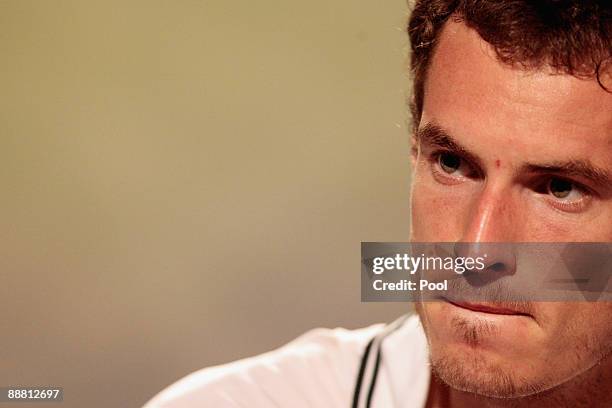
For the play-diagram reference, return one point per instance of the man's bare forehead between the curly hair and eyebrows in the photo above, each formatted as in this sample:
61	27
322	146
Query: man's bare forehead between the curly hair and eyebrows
528	114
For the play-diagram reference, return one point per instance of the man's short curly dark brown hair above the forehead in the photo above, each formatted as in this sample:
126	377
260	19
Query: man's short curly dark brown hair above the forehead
571	36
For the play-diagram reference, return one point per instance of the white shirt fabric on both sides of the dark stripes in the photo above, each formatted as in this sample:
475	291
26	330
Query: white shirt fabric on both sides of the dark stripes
318	369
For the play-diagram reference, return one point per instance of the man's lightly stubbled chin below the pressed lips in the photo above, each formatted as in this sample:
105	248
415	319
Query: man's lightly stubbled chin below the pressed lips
492	356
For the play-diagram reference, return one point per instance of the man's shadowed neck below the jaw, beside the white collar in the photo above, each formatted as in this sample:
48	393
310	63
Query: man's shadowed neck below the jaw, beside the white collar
590	389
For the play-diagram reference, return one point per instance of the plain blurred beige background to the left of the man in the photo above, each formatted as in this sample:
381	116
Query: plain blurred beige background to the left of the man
187	182
